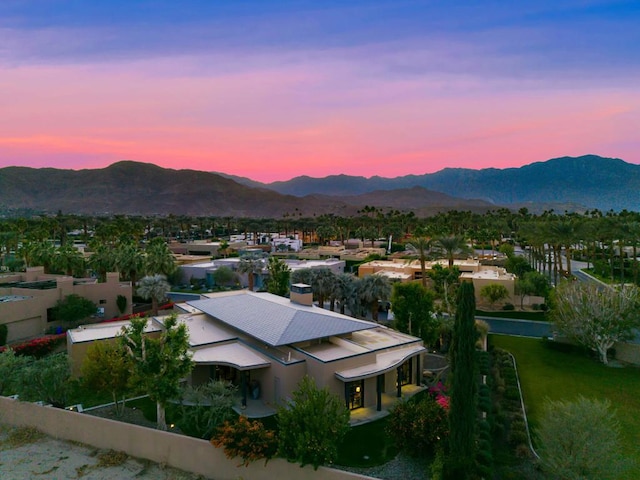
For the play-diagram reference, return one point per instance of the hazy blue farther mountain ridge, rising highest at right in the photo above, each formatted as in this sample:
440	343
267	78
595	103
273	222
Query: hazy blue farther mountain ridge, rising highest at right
590	180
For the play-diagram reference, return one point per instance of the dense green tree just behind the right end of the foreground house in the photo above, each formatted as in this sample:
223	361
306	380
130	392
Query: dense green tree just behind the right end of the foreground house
413	311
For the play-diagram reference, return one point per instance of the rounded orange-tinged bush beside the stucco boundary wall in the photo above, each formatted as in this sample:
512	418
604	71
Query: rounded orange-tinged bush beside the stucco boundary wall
246	439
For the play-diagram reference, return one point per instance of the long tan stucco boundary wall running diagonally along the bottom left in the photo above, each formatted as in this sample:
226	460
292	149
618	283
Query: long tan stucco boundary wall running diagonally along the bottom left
185	453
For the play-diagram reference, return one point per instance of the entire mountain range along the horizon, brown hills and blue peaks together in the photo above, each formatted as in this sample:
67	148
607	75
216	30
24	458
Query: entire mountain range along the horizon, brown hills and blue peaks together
129	187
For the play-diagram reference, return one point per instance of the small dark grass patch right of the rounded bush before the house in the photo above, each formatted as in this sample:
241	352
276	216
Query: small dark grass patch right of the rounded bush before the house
367	445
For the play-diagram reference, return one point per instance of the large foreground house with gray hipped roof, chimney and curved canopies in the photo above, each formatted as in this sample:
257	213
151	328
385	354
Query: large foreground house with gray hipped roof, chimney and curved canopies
265	344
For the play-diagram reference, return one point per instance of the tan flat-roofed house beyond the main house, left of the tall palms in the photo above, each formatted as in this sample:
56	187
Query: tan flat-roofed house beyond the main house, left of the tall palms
470	269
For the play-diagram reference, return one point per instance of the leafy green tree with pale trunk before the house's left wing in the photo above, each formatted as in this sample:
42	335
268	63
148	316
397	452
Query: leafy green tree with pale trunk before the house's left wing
159	364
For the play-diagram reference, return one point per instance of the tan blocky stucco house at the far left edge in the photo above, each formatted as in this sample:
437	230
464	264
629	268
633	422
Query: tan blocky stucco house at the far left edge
26	299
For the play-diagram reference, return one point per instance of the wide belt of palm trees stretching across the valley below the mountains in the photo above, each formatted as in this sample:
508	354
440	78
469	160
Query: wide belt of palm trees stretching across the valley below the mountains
608	241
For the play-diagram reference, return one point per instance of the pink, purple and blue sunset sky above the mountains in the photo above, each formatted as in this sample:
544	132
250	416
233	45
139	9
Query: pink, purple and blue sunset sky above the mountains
376	88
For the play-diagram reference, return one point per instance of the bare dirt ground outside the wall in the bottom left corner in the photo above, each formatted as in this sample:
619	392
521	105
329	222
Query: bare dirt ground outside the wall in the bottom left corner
28	454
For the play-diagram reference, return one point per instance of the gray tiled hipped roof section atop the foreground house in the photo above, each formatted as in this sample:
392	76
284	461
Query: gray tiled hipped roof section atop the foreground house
277	321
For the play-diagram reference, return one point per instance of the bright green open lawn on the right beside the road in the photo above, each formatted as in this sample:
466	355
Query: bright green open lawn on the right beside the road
548	373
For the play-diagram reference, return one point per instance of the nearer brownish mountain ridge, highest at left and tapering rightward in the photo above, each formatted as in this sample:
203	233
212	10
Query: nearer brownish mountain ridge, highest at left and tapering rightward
144	189
